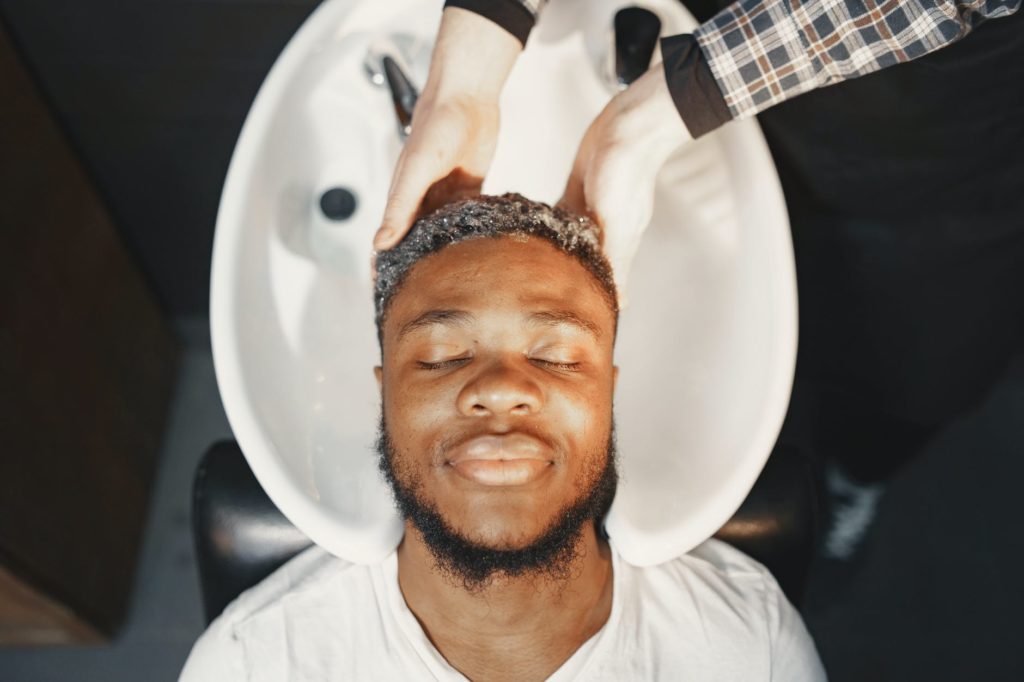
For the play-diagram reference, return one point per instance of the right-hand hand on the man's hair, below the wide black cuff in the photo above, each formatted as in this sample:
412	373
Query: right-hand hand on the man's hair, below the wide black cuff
613	179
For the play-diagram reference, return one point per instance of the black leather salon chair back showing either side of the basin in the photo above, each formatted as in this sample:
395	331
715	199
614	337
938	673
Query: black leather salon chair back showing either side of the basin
241	538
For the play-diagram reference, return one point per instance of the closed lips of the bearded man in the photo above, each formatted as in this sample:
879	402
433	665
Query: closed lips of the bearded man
511	459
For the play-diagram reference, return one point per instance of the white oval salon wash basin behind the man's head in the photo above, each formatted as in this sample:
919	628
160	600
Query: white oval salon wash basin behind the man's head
707	346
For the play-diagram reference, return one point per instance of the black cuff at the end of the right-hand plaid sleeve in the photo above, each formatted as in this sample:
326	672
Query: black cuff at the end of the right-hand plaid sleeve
693	87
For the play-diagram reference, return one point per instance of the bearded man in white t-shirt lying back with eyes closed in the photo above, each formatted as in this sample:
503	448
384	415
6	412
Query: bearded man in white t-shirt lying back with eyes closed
497	320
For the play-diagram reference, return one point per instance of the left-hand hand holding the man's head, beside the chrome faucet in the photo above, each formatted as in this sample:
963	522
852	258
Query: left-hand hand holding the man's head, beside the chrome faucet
455	124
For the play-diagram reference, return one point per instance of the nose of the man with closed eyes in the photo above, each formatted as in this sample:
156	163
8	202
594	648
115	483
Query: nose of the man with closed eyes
500	390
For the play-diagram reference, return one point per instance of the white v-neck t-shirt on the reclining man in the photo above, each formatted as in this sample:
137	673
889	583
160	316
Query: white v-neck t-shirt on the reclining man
711	615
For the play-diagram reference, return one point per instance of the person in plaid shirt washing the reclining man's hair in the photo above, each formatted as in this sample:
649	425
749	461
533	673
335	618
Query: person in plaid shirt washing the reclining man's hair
905	191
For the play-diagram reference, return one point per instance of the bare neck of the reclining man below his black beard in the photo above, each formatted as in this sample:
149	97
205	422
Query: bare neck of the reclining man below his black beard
513	628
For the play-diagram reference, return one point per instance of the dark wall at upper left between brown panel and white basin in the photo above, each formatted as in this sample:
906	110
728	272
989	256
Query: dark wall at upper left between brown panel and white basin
153	95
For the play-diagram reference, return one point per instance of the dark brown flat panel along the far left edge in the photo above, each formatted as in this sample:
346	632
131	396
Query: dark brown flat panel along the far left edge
87	369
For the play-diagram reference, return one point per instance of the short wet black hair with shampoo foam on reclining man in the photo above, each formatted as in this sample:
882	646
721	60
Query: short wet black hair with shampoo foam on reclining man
494	218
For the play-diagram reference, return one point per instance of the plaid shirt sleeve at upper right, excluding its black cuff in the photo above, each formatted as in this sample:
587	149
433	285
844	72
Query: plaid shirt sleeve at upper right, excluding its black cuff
765	52
